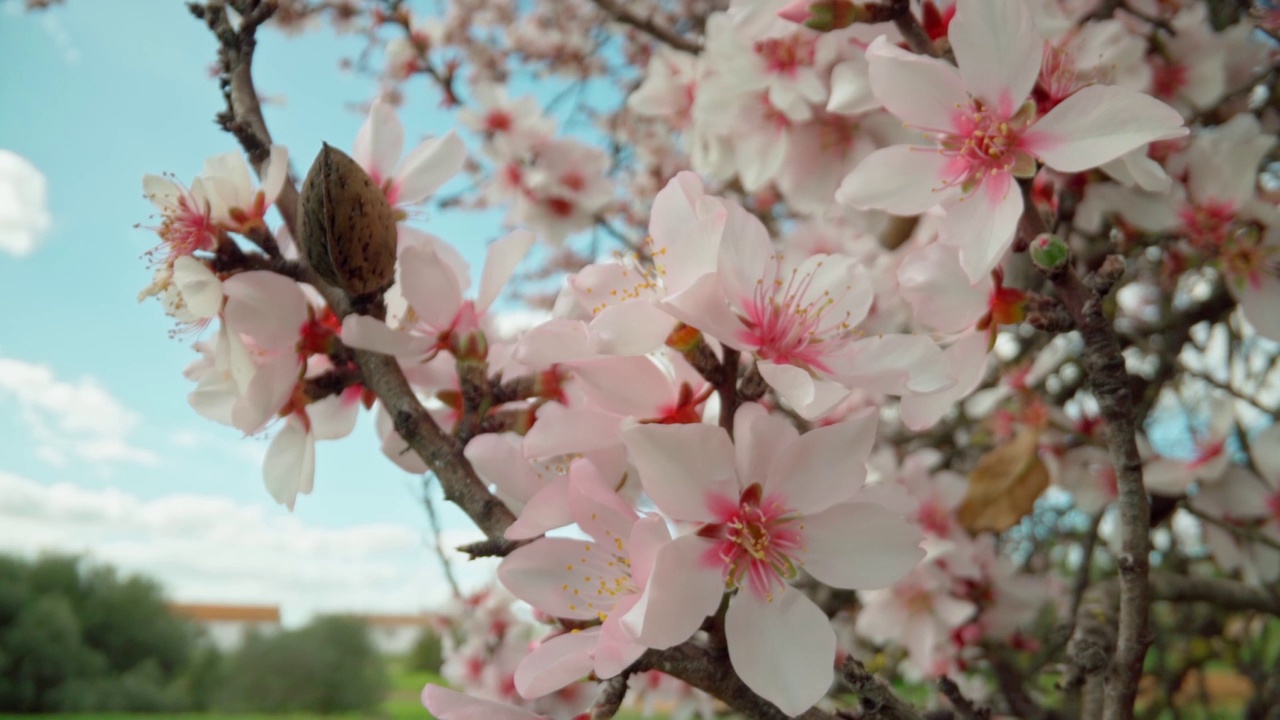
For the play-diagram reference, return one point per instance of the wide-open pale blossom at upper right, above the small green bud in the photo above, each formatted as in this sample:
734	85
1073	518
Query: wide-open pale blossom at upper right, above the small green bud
986	131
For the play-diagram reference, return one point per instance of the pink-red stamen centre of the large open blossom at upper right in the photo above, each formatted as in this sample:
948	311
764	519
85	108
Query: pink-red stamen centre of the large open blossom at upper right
985	143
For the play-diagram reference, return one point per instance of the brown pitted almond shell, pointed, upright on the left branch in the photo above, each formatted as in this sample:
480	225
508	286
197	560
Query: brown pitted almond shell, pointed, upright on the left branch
346	227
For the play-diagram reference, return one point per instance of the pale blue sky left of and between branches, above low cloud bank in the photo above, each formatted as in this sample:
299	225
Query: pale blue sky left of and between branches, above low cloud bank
97	95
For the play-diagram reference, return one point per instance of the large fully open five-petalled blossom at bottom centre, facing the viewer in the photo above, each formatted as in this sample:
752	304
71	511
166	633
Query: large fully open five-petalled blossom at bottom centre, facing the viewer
766	505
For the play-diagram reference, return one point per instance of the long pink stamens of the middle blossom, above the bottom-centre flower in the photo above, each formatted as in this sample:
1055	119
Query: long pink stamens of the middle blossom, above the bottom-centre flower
789	325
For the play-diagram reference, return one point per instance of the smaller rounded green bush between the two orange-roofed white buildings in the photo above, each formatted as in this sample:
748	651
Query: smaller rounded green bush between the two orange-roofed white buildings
327	667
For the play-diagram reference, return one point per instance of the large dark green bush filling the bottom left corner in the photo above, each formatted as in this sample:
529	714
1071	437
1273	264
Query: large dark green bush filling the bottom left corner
81	639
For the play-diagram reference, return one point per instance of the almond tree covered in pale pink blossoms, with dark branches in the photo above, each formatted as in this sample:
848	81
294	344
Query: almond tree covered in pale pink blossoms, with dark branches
872	322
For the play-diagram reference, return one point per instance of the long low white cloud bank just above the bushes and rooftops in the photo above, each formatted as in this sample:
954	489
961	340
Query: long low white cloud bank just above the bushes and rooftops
208	549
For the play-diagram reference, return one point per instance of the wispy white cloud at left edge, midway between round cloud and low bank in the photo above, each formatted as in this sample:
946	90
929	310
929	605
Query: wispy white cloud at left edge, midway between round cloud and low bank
72	420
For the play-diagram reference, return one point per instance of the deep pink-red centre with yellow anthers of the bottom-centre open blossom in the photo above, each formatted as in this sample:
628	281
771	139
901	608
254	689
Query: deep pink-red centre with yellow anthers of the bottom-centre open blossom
757	543
